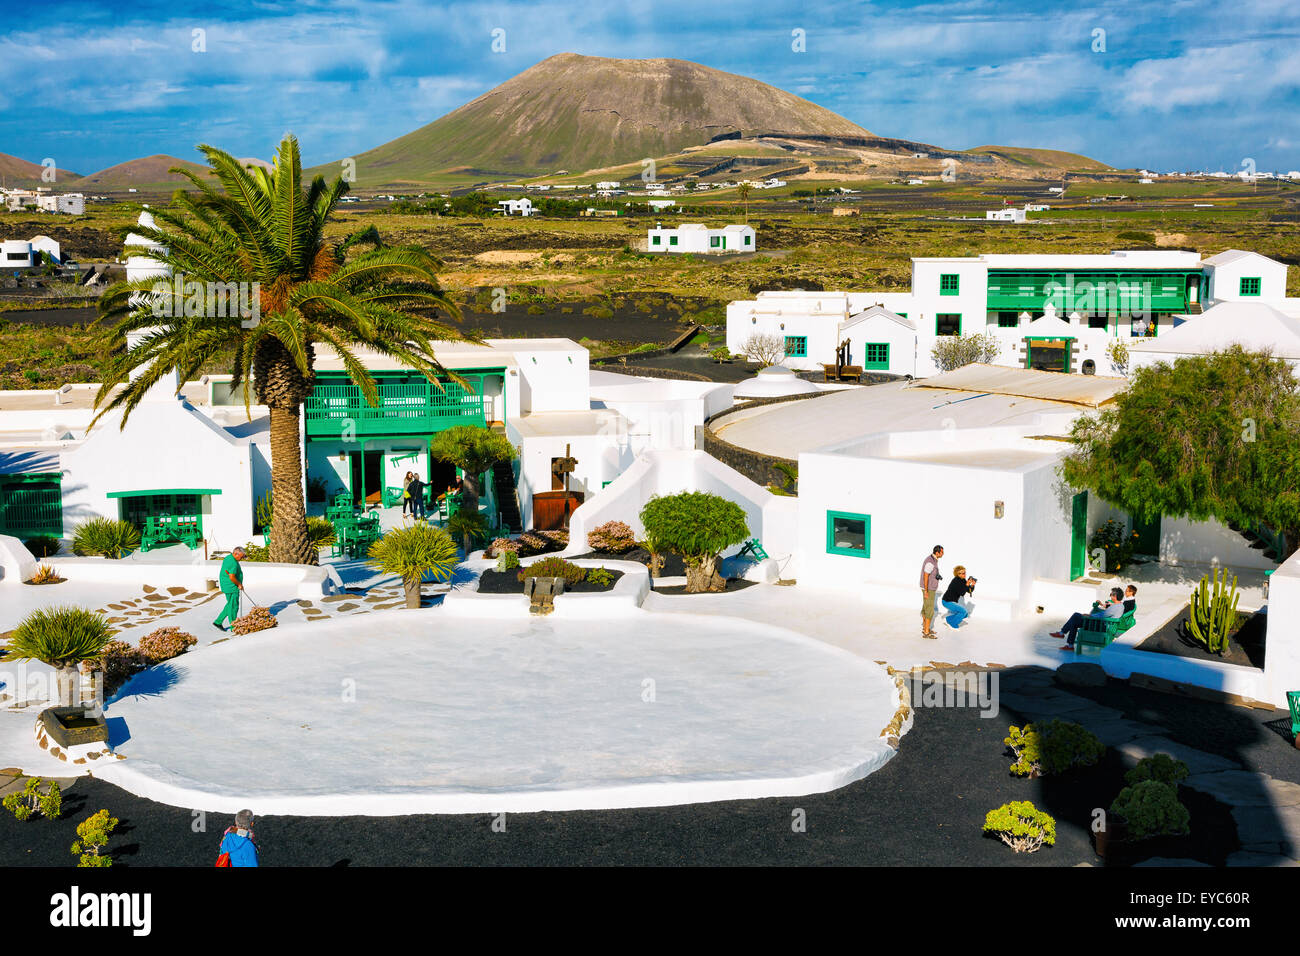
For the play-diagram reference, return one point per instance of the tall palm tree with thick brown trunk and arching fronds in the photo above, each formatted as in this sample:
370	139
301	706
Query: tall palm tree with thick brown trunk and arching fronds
267	227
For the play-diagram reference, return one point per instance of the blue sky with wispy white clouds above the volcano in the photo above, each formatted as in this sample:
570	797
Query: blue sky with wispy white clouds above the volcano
1177	85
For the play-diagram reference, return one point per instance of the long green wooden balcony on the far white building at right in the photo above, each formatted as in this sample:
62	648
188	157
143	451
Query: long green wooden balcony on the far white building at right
1093	292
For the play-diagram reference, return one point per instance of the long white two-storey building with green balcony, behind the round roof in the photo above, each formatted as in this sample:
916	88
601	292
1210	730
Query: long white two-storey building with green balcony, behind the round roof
1055	313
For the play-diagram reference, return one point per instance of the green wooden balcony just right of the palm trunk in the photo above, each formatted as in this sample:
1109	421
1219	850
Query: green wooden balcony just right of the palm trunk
418	406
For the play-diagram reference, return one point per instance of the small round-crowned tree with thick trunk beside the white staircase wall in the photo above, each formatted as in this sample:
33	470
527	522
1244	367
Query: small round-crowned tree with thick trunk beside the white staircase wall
699	527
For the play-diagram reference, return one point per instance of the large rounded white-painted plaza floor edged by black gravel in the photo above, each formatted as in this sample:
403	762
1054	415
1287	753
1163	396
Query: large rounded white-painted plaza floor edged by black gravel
437	713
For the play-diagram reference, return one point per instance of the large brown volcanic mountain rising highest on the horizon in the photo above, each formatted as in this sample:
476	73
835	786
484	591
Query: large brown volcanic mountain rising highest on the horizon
584	113
